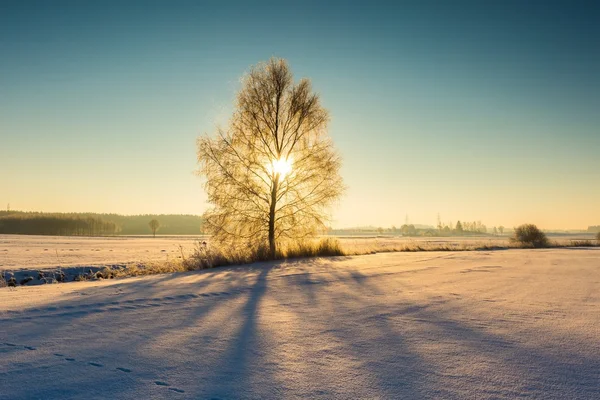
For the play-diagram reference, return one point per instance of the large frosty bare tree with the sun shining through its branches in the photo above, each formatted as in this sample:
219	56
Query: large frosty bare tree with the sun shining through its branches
273	173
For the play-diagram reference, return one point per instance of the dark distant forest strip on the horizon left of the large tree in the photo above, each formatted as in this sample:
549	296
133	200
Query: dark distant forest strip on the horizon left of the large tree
91	224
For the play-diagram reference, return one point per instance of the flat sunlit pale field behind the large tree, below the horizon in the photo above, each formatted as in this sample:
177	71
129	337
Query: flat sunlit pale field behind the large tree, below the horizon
25	252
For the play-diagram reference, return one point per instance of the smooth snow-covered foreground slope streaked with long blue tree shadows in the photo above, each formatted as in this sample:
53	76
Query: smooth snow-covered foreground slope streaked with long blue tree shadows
503	324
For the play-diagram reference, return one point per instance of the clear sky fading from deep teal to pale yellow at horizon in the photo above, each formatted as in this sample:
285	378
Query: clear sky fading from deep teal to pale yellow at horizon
471	110
